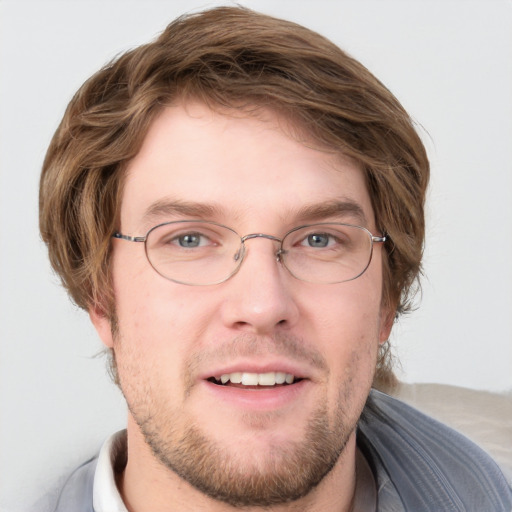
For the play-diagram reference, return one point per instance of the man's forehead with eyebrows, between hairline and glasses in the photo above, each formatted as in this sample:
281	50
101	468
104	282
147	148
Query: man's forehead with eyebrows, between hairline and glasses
237	167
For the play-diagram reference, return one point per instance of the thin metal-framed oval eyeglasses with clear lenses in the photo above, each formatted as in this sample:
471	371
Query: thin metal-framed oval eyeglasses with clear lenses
196	252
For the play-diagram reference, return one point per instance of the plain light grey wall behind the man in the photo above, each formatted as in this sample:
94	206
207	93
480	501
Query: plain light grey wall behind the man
449	62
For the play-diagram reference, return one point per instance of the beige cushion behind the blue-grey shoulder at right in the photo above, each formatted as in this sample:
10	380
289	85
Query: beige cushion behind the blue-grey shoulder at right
483	417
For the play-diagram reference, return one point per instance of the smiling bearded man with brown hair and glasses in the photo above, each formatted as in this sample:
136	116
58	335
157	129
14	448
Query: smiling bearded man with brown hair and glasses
239	207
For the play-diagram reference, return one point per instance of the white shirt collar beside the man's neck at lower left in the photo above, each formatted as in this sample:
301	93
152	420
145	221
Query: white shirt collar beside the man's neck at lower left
106	497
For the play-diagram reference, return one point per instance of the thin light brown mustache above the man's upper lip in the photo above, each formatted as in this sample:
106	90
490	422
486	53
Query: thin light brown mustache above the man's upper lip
251	345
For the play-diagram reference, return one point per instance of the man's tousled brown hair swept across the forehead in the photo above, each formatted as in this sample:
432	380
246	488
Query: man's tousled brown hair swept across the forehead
228	56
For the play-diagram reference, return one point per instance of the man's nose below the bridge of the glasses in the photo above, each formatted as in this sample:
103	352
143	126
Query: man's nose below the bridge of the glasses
260	297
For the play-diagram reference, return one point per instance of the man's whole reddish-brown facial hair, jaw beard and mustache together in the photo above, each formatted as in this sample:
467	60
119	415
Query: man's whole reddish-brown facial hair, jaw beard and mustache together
286	472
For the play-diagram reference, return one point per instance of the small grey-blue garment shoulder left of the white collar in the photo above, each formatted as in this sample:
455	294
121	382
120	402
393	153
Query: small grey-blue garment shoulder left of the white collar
73	494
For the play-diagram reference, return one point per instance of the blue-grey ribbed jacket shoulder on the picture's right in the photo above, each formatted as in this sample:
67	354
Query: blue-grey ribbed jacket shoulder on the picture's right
431	466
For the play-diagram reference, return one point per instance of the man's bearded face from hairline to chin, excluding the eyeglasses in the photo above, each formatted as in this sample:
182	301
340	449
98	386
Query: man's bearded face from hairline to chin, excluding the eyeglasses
242	443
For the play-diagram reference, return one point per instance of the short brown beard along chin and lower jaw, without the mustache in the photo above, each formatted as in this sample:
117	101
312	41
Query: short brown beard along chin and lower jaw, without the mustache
289	473
